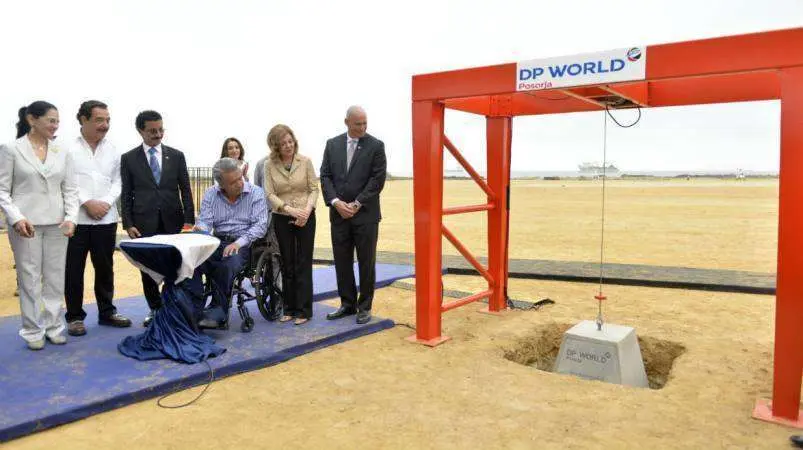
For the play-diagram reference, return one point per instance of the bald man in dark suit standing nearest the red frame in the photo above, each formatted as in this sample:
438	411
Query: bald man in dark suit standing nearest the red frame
352	176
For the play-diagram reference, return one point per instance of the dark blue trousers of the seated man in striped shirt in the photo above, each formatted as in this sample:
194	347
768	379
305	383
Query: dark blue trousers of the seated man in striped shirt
222	272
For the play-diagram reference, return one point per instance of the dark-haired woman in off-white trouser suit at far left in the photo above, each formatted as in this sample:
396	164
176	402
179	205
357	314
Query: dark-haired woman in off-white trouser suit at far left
39	194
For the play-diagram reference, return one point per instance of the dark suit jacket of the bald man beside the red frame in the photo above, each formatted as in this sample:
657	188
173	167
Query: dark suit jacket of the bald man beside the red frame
363	181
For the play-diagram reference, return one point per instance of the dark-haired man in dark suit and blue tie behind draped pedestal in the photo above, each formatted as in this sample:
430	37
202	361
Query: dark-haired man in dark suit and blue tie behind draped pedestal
156	196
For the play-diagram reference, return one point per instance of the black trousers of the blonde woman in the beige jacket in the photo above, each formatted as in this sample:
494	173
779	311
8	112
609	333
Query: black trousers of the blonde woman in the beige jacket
296	245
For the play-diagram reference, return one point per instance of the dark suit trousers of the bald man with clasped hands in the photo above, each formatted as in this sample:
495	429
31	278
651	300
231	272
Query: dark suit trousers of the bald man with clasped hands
346	236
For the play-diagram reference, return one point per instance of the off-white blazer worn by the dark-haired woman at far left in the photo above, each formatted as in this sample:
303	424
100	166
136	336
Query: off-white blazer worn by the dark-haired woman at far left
45	193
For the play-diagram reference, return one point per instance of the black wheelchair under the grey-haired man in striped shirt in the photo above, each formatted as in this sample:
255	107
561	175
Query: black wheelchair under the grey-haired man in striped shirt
264	272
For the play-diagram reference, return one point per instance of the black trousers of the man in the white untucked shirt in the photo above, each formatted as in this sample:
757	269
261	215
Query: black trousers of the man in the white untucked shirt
98	241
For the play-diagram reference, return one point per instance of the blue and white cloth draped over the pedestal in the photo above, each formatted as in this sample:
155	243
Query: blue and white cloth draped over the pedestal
173	333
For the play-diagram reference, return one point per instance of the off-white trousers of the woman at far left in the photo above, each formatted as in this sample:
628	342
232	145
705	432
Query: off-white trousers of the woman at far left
40	273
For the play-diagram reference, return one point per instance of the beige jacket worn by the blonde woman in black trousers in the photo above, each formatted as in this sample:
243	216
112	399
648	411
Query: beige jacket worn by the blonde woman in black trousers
297	188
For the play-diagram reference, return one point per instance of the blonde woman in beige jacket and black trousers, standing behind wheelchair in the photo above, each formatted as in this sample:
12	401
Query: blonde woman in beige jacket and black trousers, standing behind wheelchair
292	190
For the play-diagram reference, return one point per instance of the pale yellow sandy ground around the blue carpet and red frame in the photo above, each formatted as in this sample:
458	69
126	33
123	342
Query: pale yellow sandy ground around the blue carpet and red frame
382	392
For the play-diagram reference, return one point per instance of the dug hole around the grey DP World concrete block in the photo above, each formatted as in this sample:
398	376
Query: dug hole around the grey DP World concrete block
540	348
